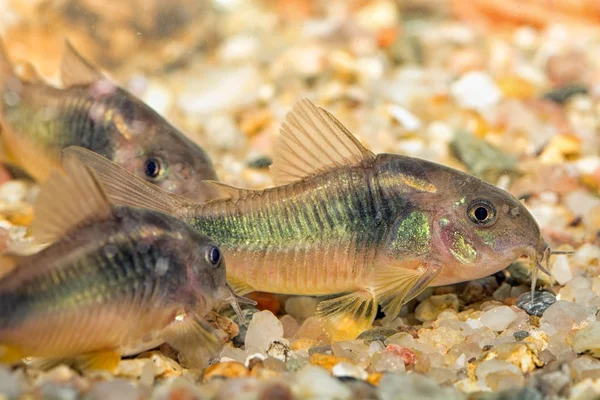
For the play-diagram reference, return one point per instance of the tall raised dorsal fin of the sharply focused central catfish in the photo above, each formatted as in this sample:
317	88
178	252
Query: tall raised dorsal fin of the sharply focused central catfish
311	142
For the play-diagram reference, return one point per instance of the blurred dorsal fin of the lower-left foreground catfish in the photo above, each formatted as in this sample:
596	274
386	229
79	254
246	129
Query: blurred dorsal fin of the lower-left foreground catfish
67	201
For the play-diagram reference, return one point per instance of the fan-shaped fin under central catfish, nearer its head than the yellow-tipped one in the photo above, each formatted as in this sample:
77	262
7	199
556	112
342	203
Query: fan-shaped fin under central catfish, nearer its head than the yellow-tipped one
396	285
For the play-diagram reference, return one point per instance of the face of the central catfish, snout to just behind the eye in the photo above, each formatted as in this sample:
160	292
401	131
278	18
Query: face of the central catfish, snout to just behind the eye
482	228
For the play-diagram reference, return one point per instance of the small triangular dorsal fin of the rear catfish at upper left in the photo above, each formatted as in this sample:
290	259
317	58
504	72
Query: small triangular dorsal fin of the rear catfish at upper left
76	70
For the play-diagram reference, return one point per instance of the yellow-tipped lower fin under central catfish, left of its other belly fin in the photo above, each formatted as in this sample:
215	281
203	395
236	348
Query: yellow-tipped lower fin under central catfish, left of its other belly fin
347	316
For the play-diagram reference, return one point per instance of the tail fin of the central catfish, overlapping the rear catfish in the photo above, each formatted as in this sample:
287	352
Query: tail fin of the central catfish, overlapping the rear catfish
124	188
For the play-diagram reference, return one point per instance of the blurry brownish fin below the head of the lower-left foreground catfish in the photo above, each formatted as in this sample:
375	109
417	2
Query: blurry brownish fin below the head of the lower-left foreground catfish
195	340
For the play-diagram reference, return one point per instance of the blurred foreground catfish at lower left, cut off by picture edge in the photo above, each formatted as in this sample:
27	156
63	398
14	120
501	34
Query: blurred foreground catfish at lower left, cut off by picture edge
113	281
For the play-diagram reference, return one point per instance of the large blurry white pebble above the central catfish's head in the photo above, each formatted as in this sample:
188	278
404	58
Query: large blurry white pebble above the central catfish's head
476	90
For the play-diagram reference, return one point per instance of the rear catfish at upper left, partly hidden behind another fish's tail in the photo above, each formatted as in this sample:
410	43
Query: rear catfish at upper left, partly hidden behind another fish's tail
39	120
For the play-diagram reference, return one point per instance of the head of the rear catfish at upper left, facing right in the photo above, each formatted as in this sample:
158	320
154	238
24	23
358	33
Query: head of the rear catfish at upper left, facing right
154	150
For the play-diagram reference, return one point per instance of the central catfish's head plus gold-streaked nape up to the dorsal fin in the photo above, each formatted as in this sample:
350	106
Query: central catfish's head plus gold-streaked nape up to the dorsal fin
476	228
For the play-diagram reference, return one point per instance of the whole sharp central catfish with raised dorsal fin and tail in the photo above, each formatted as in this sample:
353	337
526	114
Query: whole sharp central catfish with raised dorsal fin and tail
365	229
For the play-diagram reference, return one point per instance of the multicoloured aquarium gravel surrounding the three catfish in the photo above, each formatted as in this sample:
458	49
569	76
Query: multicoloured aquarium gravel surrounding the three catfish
512	100
